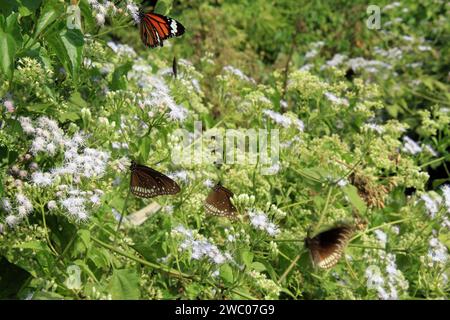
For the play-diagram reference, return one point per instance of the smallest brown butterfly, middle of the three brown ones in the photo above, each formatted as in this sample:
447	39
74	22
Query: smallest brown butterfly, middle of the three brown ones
218	202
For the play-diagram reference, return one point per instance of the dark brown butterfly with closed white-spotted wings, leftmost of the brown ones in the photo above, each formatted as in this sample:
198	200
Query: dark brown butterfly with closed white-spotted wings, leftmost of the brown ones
148	183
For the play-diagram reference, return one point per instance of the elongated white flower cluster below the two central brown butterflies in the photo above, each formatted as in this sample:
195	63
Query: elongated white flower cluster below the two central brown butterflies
199	247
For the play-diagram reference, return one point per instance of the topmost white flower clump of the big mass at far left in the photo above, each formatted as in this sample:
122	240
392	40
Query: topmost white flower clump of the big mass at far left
48	137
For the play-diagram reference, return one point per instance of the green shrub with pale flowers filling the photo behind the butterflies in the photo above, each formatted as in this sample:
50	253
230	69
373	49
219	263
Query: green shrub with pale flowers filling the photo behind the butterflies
363	121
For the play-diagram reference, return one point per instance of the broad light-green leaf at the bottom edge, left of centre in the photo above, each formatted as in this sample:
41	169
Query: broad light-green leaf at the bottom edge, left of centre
124	284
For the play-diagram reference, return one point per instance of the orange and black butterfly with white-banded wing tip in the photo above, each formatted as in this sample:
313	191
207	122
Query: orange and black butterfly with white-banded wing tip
155	28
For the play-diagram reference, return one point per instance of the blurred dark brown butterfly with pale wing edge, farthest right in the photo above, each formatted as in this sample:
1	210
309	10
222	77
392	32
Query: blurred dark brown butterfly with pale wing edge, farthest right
326	247
